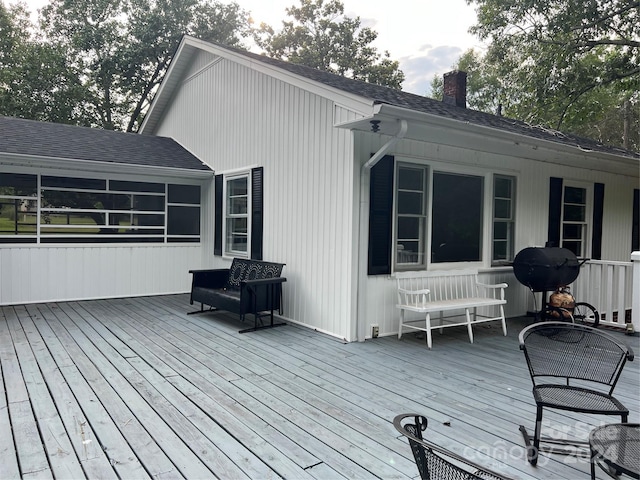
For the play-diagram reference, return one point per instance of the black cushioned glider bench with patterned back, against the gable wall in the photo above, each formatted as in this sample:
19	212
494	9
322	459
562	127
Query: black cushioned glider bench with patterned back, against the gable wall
249	286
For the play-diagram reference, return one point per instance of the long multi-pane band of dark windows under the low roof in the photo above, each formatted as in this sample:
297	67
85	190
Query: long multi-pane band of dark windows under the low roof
89	210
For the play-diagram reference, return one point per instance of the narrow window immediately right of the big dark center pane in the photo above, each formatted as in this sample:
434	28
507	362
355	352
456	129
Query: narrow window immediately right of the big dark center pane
503	218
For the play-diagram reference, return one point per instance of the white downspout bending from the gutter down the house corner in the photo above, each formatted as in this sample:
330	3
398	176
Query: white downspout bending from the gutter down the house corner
363	242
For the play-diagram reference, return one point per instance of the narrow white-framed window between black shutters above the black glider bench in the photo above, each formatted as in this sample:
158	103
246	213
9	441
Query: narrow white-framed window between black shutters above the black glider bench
237	215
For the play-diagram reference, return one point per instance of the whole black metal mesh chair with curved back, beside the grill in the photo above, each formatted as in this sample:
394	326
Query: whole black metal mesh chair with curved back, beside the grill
575	368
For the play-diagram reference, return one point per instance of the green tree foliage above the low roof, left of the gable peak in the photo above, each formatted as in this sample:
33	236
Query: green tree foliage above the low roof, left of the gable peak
99	62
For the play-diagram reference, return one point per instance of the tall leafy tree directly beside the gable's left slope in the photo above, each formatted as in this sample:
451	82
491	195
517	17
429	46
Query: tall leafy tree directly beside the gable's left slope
120	49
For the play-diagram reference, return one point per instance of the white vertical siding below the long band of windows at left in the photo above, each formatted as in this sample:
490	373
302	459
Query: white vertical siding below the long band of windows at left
42	273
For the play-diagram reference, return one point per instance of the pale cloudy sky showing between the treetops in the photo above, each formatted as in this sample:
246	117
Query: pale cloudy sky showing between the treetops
426	36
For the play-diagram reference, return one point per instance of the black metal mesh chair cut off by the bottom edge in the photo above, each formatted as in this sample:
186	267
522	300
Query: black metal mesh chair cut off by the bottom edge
437	463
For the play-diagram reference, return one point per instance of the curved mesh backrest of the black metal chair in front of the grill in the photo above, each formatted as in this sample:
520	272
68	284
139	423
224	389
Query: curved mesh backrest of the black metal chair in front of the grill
573	352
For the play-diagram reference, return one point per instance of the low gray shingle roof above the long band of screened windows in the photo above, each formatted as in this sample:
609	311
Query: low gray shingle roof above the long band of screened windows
30	137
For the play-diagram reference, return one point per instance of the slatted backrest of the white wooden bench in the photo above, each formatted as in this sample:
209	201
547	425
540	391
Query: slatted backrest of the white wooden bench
442	285
